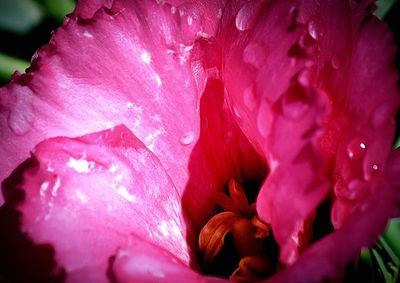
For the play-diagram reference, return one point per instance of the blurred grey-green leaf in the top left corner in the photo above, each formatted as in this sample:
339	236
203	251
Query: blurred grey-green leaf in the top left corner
19	16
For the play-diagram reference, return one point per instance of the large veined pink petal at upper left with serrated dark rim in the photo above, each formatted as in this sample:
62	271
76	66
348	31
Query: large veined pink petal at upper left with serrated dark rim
125	63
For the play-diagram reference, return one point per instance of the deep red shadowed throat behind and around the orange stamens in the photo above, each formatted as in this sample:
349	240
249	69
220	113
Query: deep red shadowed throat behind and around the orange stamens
221	153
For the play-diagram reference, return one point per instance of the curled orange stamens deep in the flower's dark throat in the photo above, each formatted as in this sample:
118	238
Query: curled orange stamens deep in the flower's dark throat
248	234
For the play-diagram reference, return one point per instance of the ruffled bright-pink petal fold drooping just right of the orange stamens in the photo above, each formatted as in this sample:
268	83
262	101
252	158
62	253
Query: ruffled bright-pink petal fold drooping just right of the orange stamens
281	112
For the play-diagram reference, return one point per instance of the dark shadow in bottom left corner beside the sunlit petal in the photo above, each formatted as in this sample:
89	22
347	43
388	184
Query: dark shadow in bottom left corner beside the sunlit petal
22	261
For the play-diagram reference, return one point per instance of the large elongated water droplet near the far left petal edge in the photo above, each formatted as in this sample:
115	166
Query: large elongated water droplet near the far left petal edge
21	117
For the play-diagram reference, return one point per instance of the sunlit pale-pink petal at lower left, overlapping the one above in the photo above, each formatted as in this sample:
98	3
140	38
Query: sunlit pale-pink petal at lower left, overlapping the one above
102	186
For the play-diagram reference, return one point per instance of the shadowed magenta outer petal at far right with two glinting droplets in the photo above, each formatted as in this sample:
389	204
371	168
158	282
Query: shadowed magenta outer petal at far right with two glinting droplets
367	131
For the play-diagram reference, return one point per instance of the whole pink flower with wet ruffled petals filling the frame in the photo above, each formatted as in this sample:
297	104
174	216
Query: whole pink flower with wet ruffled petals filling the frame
170	102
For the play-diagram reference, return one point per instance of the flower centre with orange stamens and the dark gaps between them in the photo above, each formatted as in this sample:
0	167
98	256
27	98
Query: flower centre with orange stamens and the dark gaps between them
235	243
